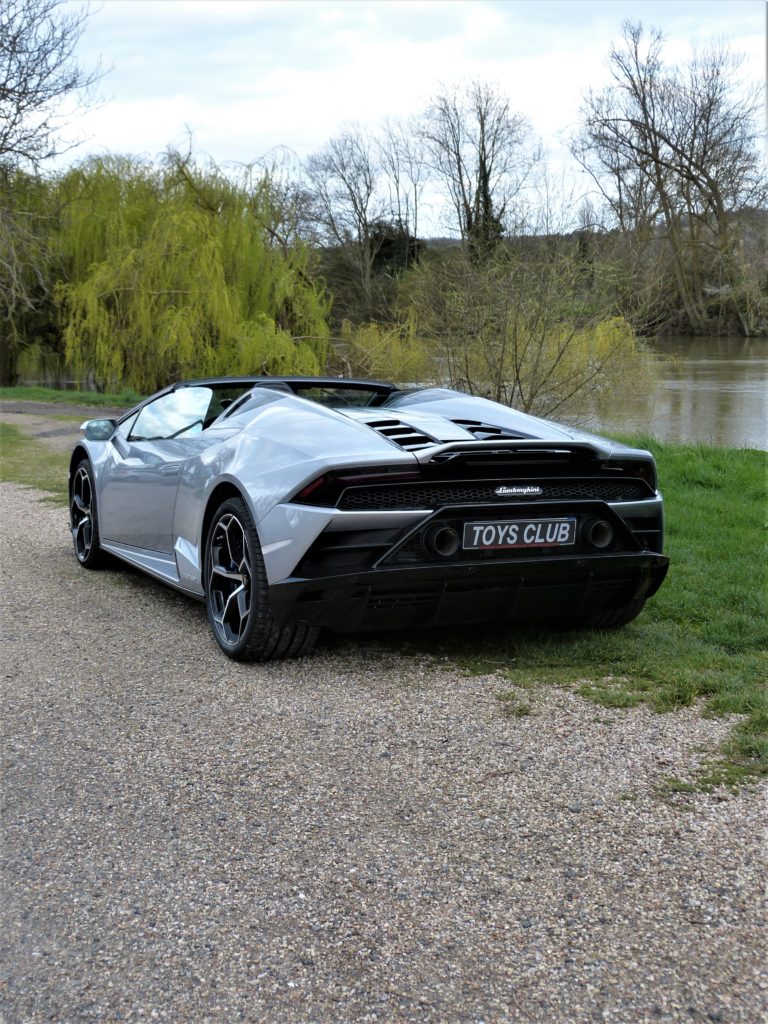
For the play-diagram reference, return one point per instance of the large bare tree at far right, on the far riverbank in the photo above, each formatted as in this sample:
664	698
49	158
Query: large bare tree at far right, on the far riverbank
674	153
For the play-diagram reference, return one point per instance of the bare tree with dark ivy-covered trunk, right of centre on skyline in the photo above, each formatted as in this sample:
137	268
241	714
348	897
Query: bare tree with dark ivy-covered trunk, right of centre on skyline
478	152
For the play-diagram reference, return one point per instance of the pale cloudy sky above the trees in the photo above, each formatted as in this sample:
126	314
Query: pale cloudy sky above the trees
245	77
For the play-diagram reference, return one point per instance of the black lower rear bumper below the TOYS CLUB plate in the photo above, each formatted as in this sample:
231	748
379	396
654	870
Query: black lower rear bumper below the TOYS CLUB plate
520	590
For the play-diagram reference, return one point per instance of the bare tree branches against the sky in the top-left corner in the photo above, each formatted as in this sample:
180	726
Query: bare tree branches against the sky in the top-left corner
38	71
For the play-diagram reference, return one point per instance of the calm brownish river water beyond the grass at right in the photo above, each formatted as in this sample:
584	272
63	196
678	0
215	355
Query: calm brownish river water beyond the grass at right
709	391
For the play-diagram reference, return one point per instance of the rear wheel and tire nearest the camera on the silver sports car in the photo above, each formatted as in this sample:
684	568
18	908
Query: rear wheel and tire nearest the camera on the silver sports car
237	593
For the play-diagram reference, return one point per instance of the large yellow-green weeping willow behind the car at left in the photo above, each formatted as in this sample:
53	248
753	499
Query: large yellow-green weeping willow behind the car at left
176	272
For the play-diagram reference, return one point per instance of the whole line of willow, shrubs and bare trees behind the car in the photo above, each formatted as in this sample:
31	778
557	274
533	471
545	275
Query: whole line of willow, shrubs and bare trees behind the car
140	273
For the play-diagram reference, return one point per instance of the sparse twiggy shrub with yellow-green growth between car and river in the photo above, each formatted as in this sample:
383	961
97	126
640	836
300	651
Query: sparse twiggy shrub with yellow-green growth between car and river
522	328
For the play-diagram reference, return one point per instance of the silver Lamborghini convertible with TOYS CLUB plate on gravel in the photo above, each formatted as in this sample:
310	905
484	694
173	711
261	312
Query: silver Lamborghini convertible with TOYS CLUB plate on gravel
289	504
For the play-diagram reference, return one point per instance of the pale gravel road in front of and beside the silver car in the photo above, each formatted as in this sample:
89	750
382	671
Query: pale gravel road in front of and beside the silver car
359	836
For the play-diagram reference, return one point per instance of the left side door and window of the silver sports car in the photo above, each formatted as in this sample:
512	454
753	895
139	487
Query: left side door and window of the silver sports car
141	476
